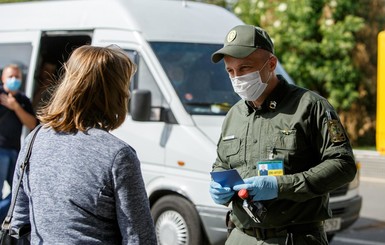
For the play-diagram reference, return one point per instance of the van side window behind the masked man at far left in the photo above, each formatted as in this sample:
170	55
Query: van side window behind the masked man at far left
16	53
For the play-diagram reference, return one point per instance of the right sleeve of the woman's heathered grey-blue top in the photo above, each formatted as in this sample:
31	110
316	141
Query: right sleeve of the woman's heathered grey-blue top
132	205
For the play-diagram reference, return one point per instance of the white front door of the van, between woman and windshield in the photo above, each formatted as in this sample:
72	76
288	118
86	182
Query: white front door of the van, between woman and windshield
145	137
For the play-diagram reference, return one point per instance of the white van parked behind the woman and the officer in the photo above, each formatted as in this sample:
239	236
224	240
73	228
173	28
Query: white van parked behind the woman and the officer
177	142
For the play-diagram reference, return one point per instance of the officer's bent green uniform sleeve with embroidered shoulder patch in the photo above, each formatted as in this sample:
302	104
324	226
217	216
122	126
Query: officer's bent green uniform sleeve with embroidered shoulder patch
336	166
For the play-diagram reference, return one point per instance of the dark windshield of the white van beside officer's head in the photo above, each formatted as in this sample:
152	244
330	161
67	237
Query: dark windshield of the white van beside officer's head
202	86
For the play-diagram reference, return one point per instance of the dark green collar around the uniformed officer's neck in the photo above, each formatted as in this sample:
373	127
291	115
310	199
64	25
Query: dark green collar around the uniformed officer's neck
275	97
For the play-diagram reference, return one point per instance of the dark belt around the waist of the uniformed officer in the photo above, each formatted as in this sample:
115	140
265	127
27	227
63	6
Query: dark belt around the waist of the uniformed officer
263	234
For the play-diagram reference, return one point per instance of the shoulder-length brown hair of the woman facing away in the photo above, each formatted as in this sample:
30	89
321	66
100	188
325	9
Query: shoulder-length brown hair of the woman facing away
93	91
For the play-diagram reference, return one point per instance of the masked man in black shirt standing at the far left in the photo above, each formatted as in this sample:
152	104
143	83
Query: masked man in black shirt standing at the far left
15	111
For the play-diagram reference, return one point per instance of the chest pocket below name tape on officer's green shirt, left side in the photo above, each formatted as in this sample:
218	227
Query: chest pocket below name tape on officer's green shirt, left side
231	149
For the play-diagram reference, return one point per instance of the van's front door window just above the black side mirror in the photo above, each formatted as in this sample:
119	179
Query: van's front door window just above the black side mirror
144	80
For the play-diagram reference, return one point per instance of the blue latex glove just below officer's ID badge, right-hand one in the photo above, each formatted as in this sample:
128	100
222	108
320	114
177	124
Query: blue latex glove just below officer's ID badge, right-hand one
260	187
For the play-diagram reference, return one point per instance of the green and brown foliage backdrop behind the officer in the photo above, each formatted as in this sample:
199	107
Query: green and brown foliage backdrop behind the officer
328	46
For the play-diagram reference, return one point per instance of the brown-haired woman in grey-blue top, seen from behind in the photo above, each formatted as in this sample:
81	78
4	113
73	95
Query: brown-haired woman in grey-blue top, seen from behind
84	185
